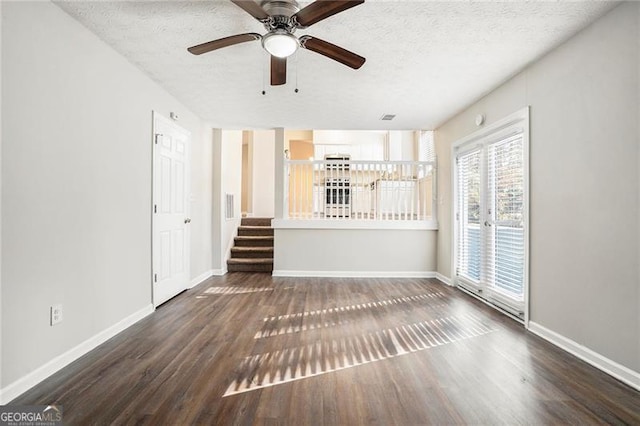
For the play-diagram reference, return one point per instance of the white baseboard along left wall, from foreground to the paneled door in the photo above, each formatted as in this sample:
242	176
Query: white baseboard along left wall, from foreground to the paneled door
25	383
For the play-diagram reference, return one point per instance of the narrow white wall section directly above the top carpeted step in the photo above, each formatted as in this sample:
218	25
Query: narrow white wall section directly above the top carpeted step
263	173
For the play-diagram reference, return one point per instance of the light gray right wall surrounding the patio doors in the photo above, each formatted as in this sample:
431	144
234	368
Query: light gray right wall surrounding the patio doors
585	184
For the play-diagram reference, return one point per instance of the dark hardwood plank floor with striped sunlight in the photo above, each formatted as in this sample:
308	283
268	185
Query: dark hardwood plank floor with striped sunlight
252	349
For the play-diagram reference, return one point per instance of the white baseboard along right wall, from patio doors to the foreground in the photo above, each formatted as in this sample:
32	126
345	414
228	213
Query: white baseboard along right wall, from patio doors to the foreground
612	368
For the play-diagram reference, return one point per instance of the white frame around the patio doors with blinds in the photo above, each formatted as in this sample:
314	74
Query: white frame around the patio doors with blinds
496	130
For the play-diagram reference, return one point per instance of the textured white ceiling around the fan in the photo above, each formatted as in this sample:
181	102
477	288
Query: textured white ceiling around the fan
426	60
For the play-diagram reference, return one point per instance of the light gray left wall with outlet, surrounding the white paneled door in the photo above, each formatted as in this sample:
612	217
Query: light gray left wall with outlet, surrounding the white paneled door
76	188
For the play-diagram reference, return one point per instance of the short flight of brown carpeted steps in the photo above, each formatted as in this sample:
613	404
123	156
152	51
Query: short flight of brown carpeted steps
253	247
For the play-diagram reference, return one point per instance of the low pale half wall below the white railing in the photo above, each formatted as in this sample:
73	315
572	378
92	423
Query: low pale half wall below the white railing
354	252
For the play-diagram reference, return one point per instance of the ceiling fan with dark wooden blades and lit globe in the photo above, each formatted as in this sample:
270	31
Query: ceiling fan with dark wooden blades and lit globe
281	18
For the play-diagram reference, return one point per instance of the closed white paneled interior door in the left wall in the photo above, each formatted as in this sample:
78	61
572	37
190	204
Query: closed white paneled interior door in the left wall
171	189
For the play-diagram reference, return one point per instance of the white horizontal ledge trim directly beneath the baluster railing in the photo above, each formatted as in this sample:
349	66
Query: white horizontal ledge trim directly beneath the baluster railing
354	224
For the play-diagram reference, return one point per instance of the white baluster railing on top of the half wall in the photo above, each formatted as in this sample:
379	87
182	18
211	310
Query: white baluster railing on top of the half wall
364	190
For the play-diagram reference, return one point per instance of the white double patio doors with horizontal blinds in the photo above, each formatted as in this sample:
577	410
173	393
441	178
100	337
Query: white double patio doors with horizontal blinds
490	217
